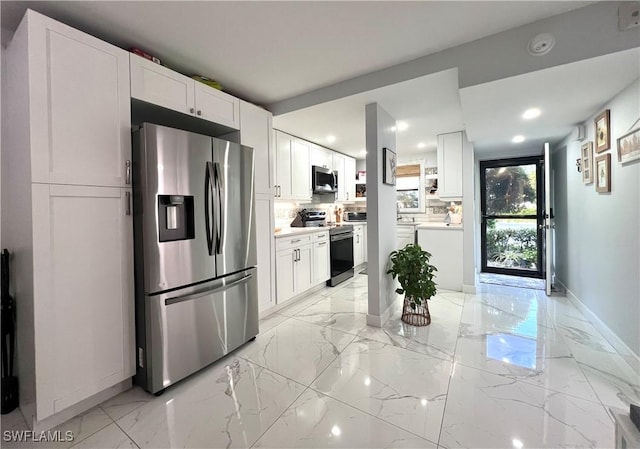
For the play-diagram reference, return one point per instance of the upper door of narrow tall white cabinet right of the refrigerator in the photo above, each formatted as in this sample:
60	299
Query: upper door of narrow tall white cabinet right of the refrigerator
255	132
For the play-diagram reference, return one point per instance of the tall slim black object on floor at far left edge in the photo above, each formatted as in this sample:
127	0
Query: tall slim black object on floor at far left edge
9	381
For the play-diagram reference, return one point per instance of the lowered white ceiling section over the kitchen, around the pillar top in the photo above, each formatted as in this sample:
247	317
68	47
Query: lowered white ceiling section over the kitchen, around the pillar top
429	105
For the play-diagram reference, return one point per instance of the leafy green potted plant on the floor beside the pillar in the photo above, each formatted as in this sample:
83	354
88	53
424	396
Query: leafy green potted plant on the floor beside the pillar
410	265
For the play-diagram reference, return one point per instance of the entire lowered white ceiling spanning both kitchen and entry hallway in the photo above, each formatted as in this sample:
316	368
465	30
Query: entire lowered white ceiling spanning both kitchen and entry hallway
490	113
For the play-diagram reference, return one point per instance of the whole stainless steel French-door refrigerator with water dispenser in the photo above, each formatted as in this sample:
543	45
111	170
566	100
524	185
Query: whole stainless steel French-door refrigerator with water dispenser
195	252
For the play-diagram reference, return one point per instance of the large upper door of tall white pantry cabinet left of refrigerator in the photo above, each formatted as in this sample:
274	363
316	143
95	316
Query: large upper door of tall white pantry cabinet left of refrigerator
79	106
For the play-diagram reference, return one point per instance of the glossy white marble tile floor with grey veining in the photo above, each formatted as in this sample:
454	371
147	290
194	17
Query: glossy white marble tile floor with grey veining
504	368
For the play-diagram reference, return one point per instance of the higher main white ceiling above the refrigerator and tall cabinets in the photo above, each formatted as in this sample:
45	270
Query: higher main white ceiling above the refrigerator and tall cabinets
268	51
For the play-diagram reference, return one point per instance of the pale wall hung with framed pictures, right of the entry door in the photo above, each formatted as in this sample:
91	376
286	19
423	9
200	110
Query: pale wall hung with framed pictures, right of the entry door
598	235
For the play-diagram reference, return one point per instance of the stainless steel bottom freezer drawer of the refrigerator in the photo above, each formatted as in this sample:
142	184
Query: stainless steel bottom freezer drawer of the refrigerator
194	327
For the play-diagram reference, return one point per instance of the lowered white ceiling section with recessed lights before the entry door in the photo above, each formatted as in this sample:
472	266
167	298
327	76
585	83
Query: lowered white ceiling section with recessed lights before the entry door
566	95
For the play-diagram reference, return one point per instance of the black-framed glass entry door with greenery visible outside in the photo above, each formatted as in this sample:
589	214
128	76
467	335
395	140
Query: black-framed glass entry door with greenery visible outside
512	216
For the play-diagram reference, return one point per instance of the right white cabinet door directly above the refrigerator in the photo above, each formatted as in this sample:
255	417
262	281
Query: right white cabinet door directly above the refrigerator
216	106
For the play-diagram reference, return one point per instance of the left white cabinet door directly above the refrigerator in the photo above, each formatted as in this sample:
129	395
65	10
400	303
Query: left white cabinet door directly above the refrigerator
159	85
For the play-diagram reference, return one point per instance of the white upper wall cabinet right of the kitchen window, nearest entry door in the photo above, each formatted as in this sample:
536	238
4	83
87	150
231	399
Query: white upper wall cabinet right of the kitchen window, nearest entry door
450	165
